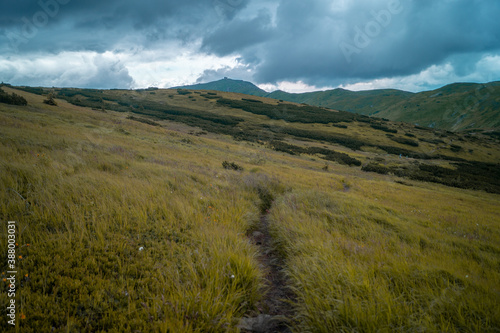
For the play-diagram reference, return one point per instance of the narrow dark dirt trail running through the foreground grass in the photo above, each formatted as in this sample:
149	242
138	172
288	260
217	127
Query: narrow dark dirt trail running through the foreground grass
275	308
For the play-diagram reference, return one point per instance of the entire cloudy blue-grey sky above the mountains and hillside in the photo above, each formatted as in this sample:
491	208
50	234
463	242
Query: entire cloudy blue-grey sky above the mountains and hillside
292	45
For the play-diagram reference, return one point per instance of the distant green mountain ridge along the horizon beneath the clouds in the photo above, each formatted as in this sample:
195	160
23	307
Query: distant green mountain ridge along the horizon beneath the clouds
454	107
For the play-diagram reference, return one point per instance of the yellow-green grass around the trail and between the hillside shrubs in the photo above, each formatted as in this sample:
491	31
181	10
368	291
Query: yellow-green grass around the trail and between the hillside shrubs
128	226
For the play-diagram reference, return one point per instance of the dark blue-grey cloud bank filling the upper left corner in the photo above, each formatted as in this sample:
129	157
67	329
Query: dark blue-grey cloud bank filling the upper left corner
57	25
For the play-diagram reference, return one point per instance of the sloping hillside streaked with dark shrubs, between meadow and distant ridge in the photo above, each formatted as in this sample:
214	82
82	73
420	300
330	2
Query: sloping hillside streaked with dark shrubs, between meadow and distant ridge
344	137
